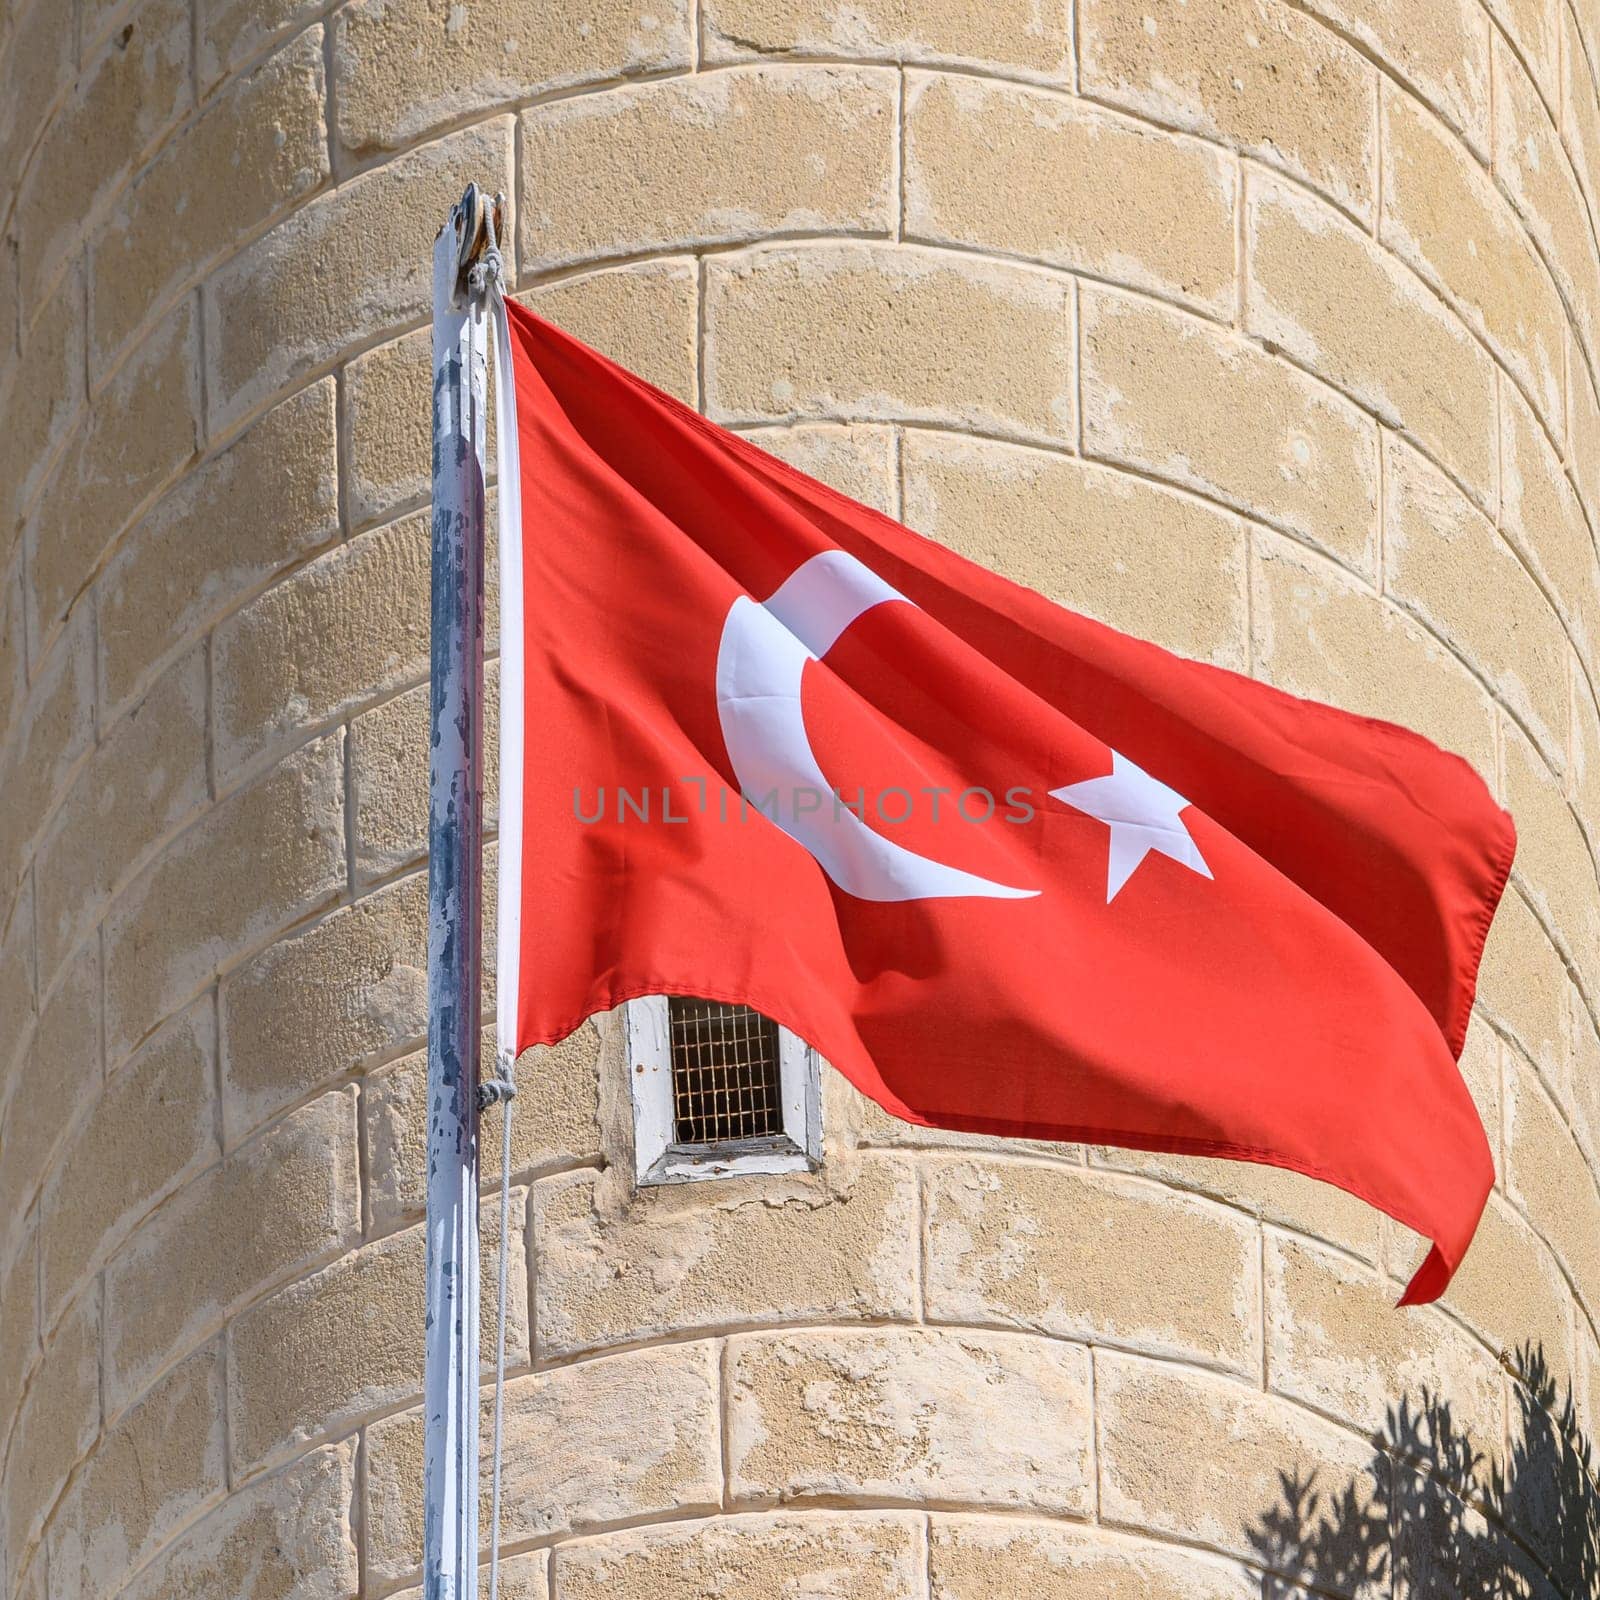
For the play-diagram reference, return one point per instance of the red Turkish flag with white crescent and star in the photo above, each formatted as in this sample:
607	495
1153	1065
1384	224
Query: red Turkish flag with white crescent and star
1006	868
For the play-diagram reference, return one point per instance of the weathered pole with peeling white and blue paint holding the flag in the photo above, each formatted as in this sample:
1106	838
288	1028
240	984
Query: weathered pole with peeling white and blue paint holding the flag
455	892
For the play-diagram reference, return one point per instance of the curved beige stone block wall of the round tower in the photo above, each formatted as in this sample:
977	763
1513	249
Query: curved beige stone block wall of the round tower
1266	329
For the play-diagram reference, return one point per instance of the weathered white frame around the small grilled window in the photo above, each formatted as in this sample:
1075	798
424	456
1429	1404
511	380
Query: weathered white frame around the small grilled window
660	1161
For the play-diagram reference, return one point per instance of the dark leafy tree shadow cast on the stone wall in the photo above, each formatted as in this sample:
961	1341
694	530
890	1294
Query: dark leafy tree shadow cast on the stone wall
1434	1526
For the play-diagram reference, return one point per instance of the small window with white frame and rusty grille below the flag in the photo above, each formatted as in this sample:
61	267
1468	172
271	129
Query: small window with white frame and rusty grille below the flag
719	1090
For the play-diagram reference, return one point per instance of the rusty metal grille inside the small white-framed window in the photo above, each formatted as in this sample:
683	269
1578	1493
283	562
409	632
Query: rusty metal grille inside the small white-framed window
726	1073
